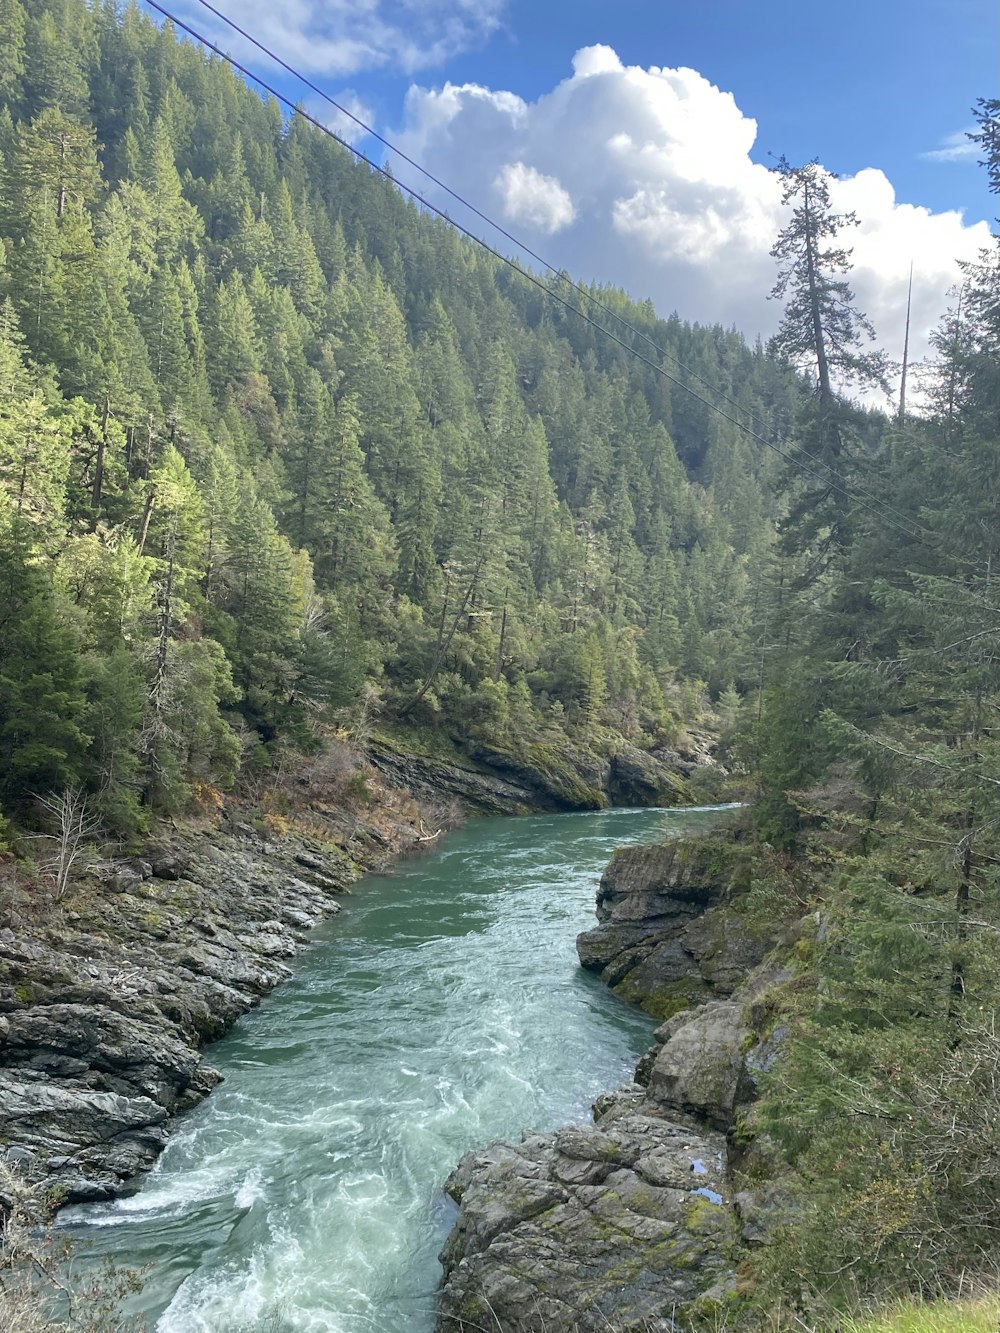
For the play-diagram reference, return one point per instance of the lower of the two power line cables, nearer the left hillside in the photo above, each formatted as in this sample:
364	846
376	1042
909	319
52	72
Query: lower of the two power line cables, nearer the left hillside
909	529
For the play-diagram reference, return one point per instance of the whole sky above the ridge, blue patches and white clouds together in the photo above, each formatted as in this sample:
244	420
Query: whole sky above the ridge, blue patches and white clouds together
629	141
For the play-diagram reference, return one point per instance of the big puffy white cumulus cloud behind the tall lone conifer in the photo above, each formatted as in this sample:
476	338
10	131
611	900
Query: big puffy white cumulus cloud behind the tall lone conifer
647	178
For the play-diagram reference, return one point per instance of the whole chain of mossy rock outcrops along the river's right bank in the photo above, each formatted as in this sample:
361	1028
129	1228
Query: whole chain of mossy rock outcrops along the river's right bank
638	1220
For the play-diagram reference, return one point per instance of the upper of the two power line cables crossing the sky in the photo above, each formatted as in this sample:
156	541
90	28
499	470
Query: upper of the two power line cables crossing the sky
559	274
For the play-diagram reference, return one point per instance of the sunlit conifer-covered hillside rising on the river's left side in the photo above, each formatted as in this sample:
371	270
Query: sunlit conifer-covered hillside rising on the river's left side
277	443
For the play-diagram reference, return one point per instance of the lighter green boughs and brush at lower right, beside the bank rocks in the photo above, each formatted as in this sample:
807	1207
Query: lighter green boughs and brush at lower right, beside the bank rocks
882	1115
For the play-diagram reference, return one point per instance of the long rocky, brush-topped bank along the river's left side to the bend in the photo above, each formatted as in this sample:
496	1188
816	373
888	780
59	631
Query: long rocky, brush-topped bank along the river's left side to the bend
110	996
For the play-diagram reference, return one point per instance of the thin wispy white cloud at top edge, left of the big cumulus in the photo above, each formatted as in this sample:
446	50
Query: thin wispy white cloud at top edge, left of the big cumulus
346	37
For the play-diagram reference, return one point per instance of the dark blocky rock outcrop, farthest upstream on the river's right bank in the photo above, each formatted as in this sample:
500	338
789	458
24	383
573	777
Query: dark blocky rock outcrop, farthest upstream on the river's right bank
667	938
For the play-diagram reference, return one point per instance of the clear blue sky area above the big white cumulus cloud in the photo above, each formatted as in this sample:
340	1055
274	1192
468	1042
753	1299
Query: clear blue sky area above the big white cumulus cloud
867	83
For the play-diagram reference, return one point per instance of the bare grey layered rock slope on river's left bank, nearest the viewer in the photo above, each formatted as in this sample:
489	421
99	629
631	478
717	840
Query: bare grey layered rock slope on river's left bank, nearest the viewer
105	1011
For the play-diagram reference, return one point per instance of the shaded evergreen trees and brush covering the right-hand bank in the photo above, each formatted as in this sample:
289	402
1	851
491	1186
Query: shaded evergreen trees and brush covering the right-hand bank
878	826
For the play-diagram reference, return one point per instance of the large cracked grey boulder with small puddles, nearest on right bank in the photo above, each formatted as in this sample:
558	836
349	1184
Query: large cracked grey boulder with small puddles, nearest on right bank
623	1224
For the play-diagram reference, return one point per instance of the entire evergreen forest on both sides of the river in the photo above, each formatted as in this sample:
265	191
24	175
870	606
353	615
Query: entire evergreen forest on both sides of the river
281	454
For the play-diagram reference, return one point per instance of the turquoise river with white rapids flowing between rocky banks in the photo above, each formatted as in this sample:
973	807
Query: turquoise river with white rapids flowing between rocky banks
442	1010
